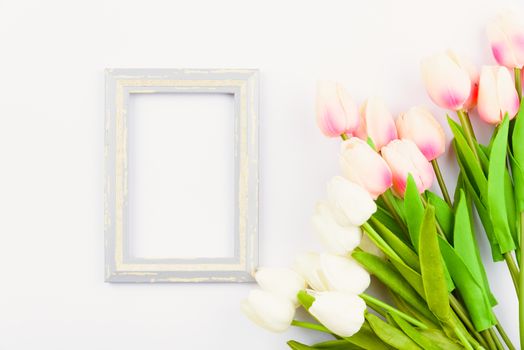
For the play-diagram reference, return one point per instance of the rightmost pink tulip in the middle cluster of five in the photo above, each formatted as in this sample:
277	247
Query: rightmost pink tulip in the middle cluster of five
419	126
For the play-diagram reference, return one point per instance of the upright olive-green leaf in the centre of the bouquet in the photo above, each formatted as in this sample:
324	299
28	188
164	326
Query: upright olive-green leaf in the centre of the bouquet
432	268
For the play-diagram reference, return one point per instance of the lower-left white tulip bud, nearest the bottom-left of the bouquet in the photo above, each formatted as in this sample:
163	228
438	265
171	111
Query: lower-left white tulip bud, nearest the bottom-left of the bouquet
268	310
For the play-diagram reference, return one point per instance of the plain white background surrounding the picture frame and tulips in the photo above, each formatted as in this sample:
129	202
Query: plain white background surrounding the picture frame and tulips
52	56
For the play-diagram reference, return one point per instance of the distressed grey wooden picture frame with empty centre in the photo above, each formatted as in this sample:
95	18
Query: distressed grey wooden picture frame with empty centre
120	266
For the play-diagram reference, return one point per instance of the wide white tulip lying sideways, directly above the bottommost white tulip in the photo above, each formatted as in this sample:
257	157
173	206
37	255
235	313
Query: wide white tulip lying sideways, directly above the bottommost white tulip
331	272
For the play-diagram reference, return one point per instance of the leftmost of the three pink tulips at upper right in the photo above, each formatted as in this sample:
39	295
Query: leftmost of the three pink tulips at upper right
447	83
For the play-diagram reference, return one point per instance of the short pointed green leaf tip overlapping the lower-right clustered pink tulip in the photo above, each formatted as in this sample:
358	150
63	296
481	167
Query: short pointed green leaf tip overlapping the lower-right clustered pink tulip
414	206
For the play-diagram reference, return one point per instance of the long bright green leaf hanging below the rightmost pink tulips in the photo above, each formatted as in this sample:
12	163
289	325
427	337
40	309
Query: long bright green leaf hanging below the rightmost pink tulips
496	202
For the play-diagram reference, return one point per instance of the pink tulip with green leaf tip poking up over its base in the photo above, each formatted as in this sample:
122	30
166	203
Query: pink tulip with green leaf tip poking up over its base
404	158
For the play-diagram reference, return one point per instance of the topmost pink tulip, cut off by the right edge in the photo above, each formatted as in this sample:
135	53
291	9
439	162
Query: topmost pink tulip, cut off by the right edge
506	36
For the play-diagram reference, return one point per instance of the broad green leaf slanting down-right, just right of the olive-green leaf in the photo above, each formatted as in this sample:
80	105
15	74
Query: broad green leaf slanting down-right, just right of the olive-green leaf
472	291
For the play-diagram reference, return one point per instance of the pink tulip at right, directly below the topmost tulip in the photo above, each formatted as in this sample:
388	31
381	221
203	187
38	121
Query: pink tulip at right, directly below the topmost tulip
497	94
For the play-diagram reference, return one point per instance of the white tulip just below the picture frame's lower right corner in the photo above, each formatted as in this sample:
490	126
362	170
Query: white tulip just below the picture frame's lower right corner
280	281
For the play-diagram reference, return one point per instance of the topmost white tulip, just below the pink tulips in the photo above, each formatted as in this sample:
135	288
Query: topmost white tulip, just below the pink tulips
351	199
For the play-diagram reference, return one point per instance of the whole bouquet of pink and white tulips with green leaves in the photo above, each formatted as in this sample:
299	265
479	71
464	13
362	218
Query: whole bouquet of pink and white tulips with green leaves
380	217
